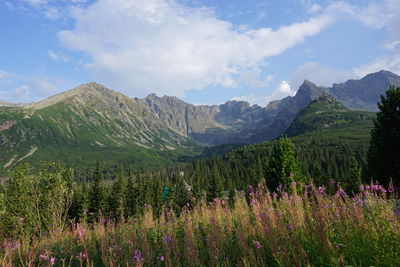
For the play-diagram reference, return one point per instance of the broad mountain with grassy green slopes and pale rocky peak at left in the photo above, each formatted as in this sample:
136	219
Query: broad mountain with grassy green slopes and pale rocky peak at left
85	123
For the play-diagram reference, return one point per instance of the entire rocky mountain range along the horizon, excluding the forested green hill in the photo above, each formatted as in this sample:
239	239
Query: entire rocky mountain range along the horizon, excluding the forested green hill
91	120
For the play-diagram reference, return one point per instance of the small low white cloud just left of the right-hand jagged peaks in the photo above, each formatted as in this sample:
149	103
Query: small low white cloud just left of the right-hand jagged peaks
320	75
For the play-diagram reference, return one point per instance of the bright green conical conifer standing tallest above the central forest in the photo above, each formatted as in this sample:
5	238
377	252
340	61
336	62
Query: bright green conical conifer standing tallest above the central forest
283	166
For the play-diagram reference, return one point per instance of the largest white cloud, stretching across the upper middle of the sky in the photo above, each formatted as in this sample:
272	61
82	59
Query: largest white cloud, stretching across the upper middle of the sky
161	46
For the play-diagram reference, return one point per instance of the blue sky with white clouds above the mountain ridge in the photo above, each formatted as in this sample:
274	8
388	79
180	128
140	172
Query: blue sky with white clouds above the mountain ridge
202	51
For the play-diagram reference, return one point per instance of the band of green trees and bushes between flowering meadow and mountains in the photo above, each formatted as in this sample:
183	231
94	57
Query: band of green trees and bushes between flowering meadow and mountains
36	202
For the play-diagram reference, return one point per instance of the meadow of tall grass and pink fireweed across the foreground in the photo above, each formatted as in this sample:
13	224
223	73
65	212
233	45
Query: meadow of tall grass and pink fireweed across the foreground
259	229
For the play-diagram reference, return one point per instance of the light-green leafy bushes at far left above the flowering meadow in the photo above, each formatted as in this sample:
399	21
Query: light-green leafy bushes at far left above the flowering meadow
36	203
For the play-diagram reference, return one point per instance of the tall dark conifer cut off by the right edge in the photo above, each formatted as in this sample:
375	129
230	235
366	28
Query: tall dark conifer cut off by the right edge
384	151
